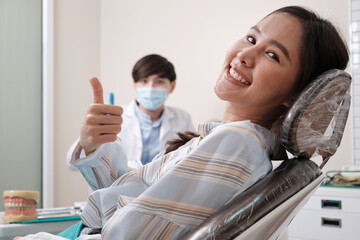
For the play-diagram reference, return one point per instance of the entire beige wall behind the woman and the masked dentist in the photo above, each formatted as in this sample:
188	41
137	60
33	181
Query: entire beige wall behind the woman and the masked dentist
106	38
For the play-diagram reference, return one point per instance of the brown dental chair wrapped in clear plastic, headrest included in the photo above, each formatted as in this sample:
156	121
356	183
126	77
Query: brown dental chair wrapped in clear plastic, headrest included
313	126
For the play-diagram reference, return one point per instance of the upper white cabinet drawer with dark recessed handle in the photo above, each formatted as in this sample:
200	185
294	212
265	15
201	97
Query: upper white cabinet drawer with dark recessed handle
336	204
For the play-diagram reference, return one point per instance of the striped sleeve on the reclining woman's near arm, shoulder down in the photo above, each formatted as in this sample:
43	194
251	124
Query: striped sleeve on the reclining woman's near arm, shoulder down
188	187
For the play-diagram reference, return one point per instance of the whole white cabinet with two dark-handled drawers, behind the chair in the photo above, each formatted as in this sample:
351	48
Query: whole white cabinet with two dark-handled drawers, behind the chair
332	213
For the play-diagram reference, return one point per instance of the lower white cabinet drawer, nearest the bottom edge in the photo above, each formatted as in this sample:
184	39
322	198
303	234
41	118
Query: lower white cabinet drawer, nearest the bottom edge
327	225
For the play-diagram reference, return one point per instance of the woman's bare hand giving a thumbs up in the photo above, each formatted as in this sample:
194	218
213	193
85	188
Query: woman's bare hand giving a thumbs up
102	122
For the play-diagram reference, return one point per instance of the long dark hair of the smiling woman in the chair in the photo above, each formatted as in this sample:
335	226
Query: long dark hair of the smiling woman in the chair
322	49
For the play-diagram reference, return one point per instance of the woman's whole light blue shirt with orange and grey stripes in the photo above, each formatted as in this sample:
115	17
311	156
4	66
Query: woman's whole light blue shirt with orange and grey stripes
173	194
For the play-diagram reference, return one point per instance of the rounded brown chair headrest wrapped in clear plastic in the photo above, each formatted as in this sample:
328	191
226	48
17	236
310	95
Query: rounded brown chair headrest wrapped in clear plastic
315	123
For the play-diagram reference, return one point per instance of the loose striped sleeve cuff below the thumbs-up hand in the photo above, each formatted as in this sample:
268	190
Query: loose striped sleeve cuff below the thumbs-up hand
102	167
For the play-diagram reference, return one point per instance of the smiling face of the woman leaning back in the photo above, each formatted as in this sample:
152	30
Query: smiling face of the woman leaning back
259	72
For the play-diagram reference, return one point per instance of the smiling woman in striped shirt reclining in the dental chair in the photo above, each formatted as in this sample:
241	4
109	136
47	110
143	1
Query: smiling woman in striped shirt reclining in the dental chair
262	74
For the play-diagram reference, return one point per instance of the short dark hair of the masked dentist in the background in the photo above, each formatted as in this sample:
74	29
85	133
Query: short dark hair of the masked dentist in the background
153	64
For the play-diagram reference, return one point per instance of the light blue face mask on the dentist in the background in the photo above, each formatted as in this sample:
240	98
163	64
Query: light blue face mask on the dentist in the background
151	98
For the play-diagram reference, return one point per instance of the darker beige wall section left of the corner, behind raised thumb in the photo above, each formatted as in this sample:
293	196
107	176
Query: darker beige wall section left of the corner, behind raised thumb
77	57
